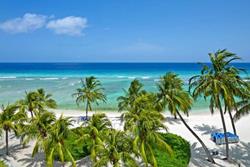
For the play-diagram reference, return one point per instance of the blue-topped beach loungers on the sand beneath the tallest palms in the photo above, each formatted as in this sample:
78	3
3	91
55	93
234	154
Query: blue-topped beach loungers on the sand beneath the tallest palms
219	138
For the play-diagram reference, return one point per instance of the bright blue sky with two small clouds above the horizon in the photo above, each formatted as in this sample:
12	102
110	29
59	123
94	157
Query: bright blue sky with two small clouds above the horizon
122	30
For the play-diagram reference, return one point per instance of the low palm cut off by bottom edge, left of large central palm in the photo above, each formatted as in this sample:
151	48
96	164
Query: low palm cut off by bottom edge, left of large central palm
116	150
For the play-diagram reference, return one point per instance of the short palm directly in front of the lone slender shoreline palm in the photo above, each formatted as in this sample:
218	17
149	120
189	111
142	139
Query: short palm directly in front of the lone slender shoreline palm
94	131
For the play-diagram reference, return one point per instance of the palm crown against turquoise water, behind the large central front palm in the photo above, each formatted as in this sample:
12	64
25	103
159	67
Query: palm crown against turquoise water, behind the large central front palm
135	90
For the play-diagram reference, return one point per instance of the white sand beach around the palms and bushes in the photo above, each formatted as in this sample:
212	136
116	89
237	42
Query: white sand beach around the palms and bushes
202	123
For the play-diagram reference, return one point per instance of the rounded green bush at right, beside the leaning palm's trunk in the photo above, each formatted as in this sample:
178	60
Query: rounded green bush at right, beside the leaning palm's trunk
181	149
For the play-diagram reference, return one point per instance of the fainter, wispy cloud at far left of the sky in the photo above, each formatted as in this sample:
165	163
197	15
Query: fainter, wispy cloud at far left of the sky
29	22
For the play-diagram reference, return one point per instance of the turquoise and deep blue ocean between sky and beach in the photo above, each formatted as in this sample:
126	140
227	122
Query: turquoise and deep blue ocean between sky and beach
62	79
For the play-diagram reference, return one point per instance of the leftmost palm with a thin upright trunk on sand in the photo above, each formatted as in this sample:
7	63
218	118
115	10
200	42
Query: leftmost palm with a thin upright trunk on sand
8	121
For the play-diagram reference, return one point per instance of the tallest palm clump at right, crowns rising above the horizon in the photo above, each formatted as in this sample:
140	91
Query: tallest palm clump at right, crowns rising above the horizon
221	83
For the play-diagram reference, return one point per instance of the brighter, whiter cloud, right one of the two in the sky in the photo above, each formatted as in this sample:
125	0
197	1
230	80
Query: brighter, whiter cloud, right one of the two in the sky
70	25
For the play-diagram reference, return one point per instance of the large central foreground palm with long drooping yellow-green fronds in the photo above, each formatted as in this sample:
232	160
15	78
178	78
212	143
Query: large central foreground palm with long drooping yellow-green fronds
143	125
